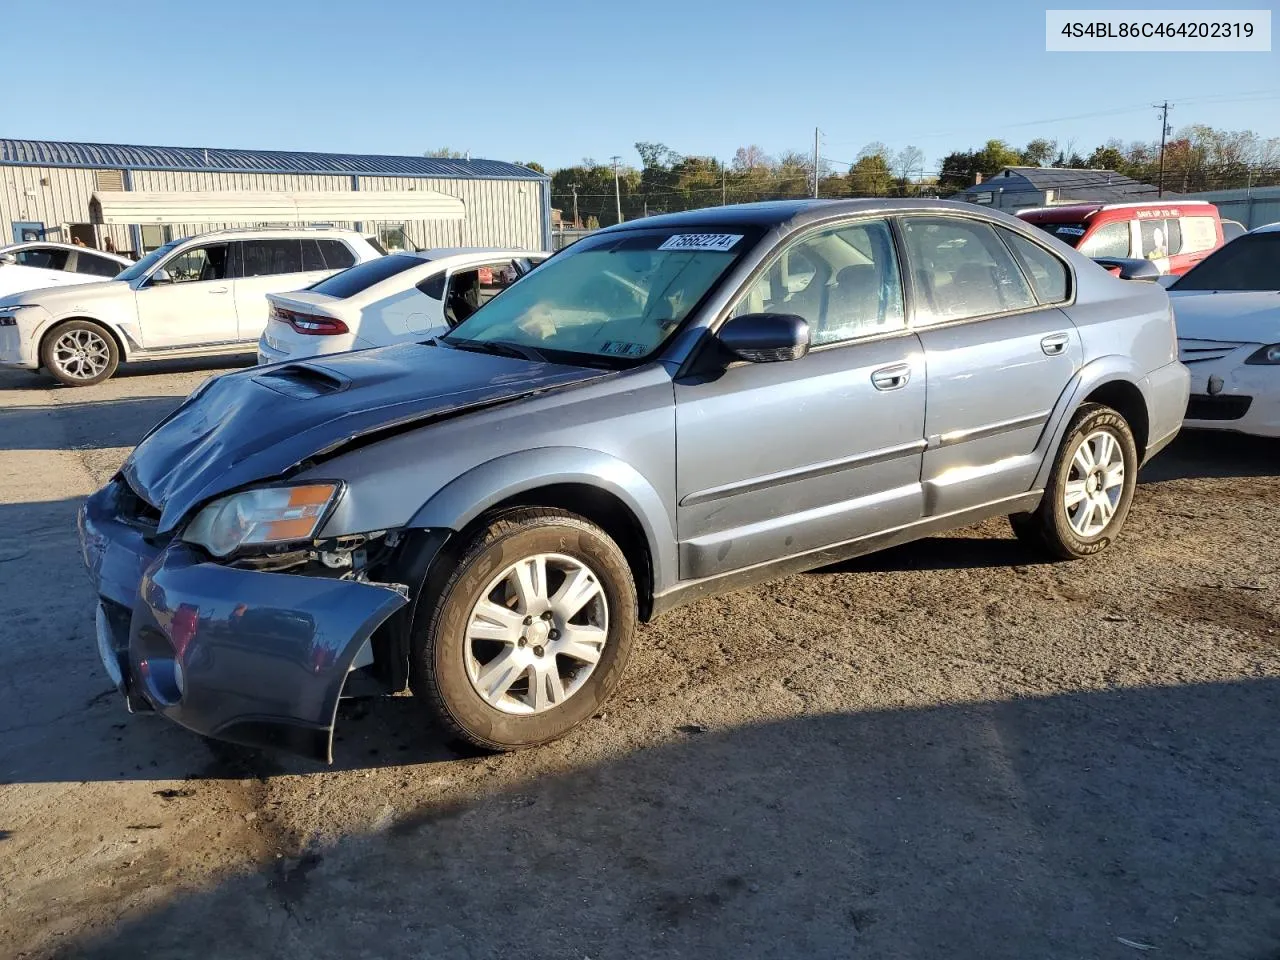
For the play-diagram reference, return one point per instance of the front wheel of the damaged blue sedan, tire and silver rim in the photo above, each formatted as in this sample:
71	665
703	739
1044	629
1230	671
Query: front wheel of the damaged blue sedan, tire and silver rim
454	657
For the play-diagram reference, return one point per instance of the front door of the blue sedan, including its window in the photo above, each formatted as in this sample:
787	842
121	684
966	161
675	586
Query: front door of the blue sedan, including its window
776	460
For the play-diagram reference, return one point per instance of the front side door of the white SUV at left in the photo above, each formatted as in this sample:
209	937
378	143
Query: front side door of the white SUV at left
194	308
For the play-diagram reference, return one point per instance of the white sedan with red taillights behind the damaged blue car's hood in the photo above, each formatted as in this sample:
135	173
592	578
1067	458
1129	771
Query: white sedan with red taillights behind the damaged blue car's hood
400	298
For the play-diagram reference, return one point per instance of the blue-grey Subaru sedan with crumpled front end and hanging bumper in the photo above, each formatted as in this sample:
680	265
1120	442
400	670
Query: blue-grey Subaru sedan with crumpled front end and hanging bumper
673	408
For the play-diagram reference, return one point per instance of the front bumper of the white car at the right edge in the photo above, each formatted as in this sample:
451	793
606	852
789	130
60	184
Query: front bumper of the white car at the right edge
1247	403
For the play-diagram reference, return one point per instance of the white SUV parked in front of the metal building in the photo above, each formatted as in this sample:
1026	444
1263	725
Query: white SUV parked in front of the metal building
193	298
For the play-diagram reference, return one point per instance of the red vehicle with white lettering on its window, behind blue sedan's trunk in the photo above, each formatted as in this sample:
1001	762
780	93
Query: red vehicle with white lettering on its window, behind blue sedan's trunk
1176	236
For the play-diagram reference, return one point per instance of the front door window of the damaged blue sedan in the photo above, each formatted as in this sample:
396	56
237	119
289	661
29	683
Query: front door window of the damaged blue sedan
844	281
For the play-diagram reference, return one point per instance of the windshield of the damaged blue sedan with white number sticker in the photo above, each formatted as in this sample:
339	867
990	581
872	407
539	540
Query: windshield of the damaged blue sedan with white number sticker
610	300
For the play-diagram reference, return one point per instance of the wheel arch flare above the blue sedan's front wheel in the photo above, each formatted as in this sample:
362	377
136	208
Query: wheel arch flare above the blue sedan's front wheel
467	497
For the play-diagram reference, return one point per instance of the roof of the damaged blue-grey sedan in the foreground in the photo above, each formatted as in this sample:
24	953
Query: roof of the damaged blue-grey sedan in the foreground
798	213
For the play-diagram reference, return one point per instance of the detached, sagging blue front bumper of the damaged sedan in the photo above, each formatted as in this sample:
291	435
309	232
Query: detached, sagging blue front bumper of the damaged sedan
236	655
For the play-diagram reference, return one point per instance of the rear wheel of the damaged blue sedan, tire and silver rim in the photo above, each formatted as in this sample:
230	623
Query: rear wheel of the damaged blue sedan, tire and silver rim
1072	533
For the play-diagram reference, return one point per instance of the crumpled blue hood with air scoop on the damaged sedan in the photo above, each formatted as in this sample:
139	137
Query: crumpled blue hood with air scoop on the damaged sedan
257	424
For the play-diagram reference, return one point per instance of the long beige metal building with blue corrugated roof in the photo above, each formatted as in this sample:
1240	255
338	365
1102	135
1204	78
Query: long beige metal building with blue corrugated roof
47	189
